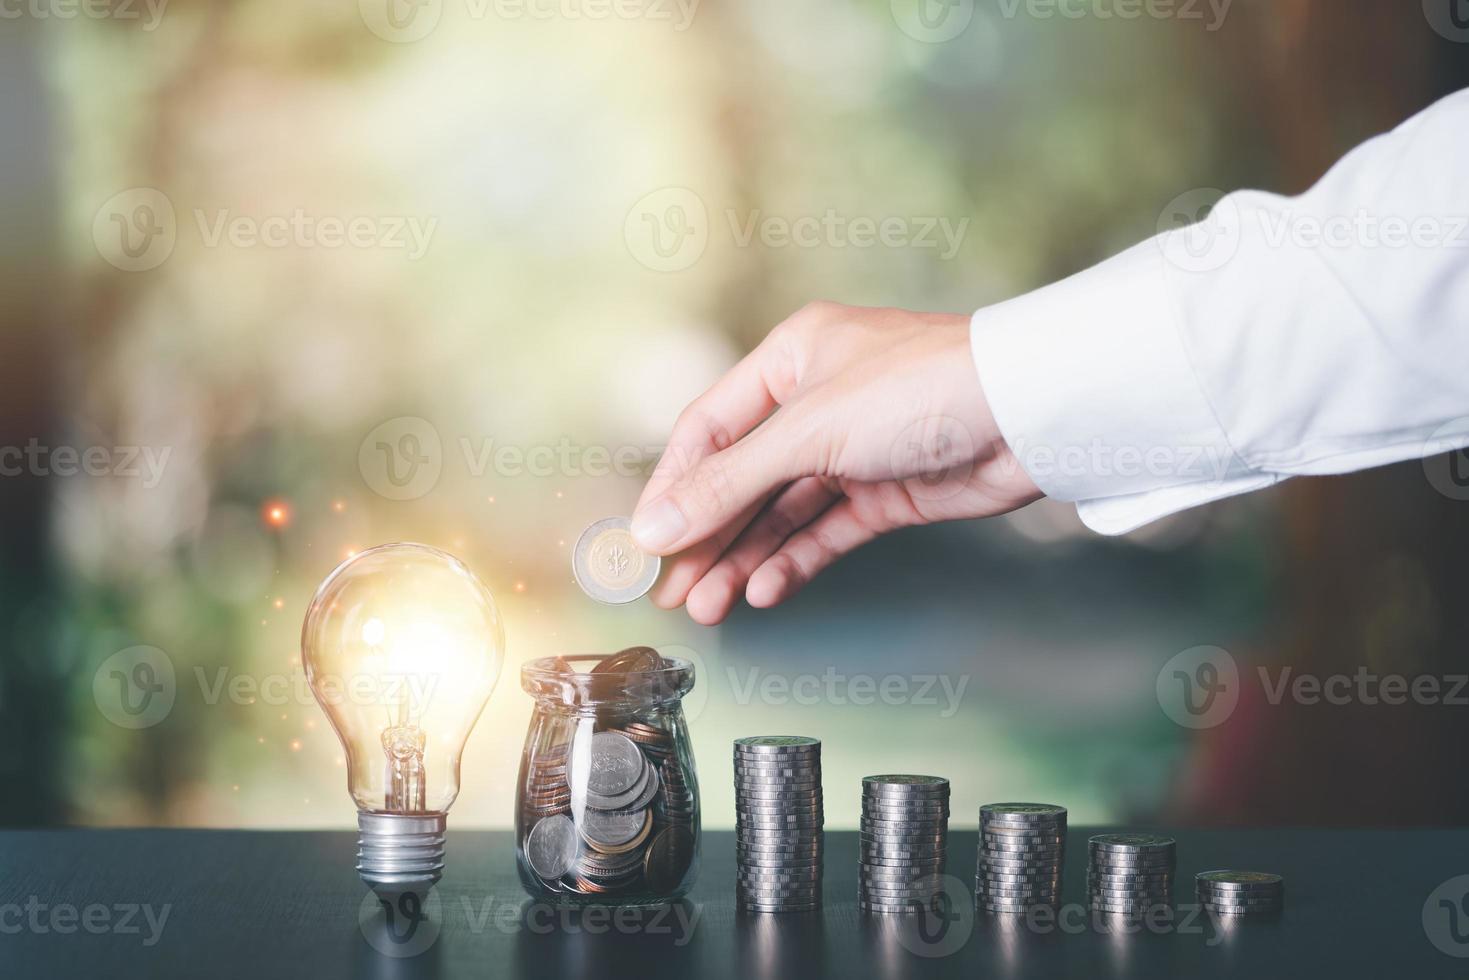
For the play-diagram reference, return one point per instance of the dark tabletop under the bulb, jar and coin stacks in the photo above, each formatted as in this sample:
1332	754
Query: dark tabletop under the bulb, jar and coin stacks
256	904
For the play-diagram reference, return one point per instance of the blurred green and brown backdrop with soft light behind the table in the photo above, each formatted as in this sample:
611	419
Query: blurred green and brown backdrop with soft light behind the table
211	261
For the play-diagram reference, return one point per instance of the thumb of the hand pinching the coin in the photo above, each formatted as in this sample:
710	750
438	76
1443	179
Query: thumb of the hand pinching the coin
718	491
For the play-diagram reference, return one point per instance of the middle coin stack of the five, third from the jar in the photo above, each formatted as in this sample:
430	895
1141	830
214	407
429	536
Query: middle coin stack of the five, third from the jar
1023	850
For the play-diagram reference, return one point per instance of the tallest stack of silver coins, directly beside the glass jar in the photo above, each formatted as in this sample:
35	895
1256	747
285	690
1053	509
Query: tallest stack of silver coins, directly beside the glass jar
778	824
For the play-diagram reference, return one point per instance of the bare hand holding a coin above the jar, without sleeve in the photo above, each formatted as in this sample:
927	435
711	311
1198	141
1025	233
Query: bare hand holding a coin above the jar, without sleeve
845	424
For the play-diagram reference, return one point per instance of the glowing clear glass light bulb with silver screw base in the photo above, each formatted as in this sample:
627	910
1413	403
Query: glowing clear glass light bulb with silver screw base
402	647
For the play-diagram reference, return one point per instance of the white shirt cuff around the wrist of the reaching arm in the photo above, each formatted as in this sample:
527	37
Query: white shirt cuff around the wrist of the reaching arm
1094	392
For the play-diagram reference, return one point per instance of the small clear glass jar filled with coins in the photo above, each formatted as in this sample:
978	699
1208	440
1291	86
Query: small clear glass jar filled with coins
607	804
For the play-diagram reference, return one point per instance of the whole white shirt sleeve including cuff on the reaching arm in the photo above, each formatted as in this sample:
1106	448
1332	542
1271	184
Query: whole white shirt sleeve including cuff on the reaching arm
1282	337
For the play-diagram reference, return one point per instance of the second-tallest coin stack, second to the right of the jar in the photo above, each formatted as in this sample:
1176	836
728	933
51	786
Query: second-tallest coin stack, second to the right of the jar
906	834
